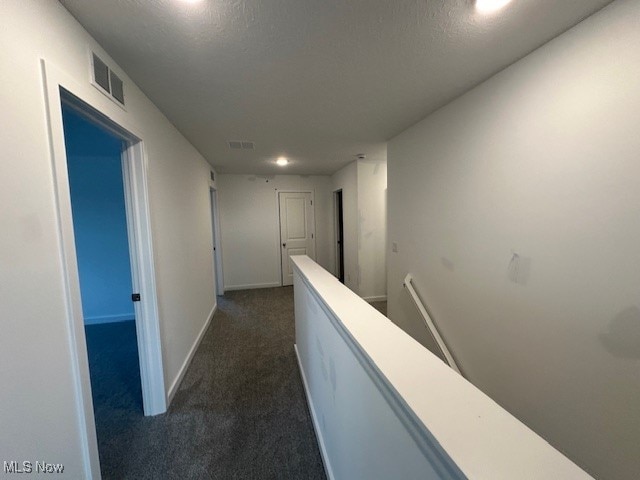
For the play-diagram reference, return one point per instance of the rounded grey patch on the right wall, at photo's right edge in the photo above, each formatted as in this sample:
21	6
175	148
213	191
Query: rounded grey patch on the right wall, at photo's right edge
622	340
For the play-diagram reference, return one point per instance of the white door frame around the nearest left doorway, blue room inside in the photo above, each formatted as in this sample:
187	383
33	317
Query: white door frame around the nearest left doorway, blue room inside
59	88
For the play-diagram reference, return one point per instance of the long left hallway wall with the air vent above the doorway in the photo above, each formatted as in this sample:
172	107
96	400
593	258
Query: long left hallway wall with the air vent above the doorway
38	415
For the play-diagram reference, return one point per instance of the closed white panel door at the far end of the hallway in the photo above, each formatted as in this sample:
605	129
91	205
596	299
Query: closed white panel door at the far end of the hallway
297	230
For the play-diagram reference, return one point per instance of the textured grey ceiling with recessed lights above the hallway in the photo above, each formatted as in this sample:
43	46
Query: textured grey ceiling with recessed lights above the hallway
317	81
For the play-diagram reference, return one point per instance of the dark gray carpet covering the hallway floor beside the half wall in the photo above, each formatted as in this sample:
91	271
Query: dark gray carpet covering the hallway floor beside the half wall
240	412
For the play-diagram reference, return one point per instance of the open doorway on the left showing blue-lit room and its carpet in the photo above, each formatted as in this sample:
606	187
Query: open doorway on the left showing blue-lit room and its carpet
100	227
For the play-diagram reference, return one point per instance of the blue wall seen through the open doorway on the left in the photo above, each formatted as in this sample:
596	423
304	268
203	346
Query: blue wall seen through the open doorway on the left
99	220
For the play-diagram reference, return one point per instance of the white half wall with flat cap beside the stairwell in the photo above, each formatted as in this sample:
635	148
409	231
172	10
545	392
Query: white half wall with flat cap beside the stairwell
385	407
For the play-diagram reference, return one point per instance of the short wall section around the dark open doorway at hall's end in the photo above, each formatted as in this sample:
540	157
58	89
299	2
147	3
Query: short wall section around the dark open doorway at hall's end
346	179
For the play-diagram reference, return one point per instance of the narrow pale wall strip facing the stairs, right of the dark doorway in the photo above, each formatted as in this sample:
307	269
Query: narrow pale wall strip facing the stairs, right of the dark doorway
372	228
